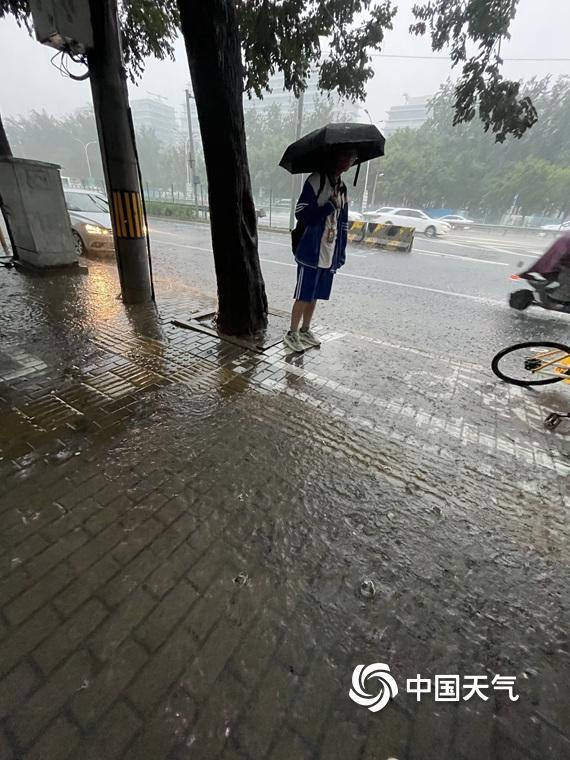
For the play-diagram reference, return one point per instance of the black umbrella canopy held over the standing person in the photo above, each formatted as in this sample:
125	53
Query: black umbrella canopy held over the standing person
311	153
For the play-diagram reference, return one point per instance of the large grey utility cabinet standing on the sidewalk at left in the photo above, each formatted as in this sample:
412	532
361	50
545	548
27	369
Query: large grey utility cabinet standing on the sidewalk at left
32	200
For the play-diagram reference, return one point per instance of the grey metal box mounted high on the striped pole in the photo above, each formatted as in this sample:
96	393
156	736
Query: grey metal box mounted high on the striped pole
65	25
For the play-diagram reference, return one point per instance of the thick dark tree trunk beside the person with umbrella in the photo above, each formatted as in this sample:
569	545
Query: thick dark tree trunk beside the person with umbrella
210	31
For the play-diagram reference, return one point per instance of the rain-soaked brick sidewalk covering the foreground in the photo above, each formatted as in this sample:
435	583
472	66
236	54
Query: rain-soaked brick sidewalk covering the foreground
191	532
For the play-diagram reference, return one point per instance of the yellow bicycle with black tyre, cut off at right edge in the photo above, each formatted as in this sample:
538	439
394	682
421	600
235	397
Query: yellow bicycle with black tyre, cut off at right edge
522	364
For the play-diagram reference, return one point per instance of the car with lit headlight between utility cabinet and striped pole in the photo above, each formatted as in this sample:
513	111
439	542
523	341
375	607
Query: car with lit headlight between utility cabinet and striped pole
90	222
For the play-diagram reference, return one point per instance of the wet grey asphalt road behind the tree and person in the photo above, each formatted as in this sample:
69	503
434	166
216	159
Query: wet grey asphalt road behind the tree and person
449	294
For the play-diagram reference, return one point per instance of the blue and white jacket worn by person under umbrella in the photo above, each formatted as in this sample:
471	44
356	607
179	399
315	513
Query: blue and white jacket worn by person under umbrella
313	216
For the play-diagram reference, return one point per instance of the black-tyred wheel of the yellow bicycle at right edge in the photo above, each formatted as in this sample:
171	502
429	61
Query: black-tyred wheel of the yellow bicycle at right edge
521	364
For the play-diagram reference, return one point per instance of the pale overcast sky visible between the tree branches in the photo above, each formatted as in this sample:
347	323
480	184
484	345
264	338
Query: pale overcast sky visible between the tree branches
539	31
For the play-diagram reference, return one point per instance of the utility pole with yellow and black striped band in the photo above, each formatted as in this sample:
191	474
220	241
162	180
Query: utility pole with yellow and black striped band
118	152
